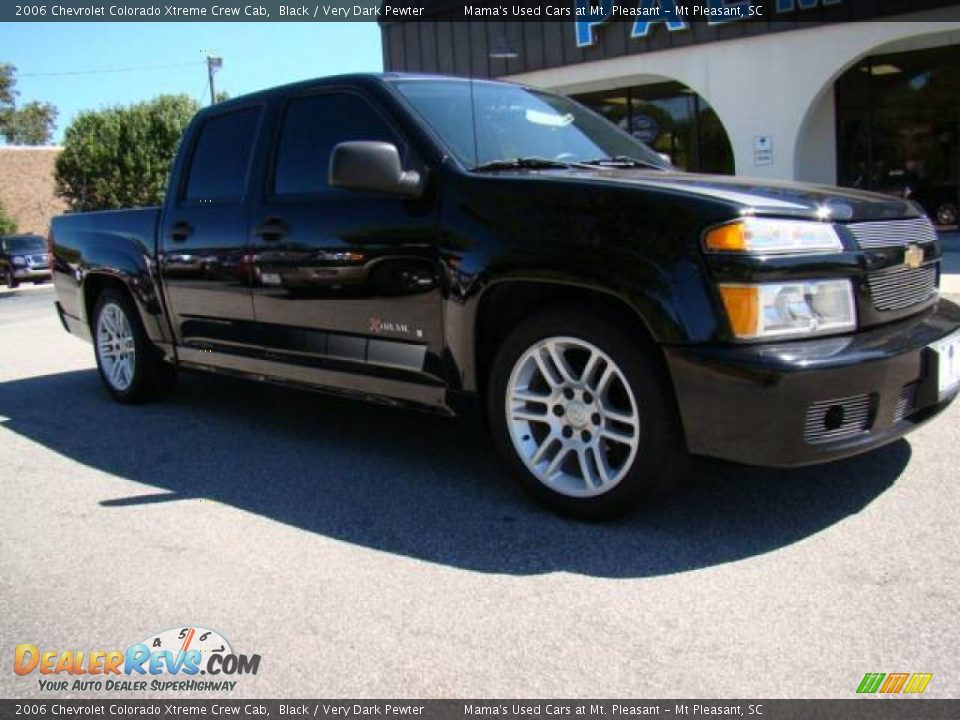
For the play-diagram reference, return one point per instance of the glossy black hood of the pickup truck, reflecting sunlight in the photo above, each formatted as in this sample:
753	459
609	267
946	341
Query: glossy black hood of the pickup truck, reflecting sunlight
759	196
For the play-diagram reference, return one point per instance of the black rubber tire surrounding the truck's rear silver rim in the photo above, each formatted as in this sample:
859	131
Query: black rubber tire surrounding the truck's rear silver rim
152	376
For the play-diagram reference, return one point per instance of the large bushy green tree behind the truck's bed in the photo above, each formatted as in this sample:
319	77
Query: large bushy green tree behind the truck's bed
121	156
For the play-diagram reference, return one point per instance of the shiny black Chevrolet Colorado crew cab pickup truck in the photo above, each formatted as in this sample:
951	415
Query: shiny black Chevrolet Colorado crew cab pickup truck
432	241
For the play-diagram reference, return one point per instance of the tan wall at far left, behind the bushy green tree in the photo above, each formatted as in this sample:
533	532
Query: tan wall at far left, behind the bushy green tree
27	188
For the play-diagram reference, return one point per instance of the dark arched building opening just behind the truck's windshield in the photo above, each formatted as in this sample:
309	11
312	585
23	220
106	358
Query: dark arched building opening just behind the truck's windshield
672	119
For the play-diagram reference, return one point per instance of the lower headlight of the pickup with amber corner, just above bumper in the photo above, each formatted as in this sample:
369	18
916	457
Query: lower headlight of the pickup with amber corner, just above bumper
771	310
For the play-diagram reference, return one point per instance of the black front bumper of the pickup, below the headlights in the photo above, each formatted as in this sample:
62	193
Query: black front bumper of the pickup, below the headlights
764	404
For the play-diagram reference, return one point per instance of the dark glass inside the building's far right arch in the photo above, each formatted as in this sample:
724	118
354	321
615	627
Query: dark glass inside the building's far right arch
898	121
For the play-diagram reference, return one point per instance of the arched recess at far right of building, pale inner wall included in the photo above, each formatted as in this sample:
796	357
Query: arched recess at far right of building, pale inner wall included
888	120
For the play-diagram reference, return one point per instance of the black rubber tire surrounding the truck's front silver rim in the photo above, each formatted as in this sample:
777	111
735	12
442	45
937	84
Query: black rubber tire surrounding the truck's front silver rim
660	458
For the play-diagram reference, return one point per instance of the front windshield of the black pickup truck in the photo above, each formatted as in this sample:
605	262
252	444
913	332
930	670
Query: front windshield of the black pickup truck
515	122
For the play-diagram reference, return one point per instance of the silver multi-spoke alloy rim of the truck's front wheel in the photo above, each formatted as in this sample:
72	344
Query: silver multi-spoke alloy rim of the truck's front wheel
572	416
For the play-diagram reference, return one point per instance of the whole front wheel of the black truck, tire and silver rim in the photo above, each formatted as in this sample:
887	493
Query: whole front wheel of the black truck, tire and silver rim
584	415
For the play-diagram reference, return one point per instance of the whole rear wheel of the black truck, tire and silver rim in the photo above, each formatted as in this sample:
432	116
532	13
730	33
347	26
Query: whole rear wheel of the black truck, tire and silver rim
130	366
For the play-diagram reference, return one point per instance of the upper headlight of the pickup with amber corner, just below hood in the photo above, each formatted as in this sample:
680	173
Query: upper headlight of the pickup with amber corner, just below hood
758	236
